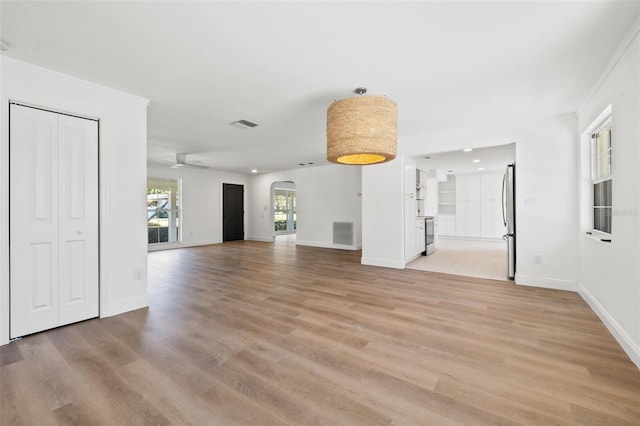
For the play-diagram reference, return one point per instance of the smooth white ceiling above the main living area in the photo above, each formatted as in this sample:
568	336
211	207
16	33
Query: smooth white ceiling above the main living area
205	64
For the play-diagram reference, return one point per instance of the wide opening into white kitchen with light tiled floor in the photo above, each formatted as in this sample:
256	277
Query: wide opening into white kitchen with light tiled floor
468	202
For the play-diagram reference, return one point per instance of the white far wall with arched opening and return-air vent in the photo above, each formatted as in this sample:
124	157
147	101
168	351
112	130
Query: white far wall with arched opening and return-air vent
323	195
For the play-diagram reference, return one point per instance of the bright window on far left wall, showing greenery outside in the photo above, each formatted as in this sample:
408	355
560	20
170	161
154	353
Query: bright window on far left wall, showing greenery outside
163	211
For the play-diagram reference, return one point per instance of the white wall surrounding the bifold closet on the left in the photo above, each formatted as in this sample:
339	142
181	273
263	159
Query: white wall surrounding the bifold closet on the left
123	172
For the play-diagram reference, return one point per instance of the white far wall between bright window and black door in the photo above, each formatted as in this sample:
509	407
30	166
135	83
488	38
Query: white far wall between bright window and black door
201	220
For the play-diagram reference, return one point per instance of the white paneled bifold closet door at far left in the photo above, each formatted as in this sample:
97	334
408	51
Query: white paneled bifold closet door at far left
53	219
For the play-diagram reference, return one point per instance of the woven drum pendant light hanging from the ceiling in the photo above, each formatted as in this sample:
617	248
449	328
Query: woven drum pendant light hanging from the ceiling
362	130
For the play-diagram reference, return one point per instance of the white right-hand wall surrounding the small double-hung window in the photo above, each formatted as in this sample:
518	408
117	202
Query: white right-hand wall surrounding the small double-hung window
609	277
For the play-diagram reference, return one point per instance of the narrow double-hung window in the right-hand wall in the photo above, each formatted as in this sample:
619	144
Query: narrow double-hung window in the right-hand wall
601	176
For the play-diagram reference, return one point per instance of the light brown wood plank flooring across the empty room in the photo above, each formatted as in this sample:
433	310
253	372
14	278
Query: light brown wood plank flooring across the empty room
250	333
